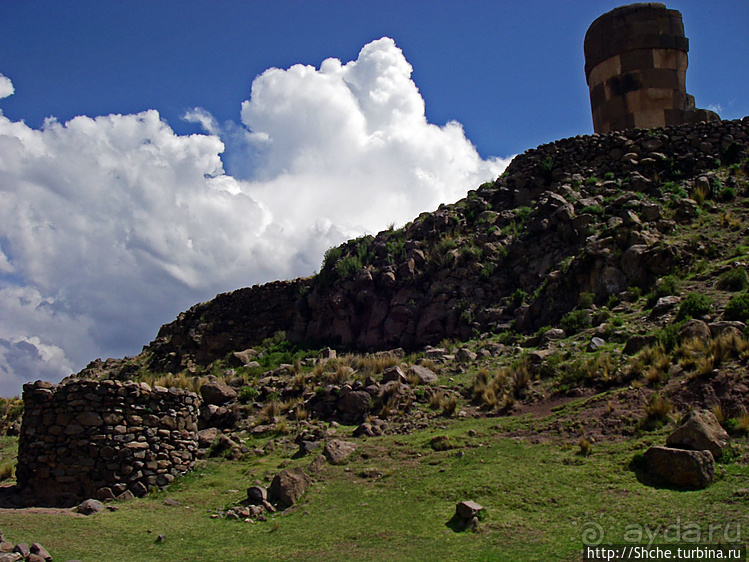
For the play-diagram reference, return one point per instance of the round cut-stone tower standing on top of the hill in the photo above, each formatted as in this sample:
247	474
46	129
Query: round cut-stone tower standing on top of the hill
636	66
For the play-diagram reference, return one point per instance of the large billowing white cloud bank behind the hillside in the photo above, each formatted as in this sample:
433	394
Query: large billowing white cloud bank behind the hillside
109	226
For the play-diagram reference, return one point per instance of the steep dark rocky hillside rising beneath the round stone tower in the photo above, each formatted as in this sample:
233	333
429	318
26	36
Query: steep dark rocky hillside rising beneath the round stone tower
597	215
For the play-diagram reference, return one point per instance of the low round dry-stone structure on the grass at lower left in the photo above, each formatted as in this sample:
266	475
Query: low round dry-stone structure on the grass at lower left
82	439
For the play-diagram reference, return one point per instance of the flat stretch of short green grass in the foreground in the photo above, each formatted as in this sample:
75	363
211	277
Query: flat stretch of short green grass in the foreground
540	500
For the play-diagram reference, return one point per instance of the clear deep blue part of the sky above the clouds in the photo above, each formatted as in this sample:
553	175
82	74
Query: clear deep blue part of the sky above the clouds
510	72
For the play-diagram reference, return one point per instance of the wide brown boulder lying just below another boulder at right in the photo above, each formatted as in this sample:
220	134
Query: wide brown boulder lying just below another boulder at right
680	467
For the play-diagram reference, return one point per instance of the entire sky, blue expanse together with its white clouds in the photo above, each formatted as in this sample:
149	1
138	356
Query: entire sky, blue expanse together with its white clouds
178	164
